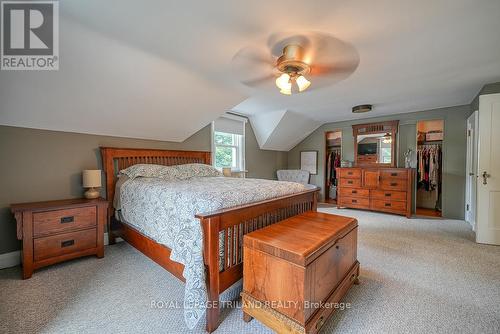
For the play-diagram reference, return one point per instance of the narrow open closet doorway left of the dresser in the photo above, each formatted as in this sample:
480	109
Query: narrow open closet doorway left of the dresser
332	161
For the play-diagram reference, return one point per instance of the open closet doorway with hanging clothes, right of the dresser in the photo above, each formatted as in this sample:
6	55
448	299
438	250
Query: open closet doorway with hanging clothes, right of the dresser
430	135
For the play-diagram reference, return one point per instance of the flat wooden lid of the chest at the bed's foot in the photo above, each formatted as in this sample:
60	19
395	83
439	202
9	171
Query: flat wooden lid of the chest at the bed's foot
302	238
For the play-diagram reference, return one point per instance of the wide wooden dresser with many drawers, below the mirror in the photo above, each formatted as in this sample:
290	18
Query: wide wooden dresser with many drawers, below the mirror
377	189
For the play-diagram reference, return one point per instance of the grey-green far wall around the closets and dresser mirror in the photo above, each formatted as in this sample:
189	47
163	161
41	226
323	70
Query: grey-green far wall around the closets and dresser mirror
454	147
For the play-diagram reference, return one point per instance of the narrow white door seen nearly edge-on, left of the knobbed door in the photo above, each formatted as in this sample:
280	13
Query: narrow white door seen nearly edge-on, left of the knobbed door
471	171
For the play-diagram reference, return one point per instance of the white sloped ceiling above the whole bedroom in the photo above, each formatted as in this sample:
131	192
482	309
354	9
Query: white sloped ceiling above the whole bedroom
162	69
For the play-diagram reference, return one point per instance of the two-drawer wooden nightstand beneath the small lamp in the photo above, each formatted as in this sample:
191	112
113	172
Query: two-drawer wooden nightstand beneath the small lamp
57	231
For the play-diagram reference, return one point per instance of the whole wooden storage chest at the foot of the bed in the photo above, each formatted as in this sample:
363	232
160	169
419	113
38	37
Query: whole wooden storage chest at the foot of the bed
296	271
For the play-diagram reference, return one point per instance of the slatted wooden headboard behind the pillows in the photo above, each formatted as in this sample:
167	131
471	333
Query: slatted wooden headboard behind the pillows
115	159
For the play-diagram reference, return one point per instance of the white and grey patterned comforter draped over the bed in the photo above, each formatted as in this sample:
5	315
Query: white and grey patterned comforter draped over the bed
165	211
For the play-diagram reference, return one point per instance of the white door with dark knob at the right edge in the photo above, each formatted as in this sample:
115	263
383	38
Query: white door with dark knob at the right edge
488	180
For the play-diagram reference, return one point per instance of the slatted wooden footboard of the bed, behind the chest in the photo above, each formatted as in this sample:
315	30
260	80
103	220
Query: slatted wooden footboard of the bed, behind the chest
229	225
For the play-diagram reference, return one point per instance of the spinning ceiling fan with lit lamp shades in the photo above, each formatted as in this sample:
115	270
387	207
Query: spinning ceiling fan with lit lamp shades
294	62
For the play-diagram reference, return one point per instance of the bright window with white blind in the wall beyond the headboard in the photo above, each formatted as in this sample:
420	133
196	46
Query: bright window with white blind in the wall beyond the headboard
228	142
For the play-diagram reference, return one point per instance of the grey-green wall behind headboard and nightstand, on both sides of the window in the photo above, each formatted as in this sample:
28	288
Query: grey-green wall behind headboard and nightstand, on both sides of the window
39	165
